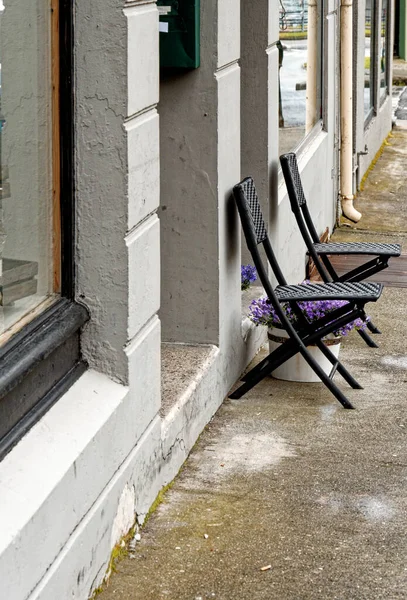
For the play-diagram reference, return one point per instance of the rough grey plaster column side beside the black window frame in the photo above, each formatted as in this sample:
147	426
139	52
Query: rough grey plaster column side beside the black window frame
101	180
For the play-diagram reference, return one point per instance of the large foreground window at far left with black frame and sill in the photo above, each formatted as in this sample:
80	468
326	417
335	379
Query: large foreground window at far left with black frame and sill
39	322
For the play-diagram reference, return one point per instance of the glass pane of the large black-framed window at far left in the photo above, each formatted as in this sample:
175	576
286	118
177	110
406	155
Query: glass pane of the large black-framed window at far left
25	158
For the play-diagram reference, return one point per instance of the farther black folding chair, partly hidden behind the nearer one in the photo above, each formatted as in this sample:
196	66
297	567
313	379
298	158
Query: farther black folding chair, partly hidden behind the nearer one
319	251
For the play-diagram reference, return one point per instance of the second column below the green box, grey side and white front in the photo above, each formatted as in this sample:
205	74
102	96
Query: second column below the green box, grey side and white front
200	163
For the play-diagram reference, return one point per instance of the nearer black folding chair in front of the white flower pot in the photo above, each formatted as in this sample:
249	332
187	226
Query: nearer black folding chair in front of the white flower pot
303	333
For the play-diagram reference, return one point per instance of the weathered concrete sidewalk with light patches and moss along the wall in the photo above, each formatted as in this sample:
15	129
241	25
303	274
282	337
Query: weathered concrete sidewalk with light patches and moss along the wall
286	494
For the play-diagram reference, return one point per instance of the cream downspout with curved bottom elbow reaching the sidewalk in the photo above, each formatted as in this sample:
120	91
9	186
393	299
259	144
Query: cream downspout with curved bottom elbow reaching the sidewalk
346	151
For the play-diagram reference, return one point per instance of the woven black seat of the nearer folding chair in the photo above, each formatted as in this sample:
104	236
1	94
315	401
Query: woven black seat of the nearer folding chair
366	291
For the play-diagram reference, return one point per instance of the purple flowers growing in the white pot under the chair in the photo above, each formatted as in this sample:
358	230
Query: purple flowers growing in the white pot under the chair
261	312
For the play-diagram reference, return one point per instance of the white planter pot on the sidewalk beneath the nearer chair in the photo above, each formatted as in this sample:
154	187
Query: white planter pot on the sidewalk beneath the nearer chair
297	368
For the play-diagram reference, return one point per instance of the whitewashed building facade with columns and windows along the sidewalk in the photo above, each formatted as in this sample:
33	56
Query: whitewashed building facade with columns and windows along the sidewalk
121	316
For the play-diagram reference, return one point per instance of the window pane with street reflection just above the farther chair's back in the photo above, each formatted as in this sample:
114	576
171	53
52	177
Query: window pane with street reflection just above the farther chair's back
300	72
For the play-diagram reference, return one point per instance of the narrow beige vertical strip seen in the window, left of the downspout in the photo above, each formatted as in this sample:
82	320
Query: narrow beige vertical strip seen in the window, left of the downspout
311	93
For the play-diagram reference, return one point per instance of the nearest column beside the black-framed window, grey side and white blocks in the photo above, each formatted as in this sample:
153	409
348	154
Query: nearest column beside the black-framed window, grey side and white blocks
117	165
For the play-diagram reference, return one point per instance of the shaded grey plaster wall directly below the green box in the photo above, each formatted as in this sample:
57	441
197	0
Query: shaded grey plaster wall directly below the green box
189	195
